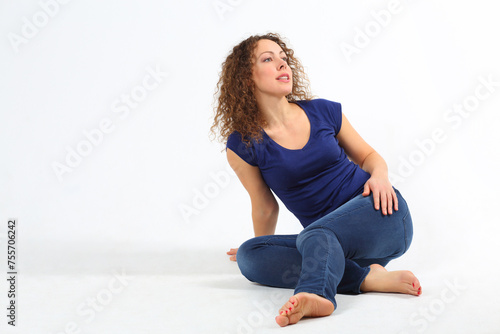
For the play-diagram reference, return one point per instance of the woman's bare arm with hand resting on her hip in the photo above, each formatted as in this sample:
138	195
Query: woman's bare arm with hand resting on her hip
384	196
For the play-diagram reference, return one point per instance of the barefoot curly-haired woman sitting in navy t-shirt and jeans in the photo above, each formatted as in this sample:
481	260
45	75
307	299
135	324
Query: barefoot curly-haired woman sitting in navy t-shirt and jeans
279	139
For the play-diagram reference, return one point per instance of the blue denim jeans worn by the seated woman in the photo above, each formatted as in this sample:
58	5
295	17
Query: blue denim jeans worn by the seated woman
333	254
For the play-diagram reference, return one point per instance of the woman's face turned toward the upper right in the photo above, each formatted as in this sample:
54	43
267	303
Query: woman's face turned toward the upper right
270	73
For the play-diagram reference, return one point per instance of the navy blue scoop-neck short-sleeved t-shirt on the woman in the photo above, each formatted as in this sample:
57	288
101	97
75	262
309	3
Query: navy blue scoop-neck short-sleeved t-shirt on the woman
314	180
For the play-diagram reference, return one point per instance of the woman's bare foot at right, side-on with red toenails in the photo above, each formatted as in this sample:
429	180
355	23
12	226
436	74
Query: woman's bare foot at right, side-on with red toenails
381	280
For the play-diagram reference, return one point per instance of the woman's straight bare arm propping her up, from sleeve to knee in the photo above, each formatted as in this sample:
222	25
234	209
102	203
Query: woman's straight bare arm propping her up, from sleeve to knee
264	205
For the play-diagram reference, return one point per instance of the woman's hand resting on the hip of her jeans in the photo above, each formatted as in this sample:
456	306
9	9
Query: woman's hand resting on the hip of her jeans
384	195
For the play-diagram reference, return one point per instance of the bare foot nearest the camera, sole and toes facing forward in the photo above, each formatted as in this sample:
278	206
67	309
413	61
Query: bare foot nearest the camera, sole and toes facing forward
302	305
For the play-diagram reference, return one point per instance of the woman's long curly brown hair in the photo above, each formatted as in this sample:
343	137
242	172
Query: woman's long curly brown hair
235	103
